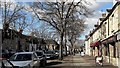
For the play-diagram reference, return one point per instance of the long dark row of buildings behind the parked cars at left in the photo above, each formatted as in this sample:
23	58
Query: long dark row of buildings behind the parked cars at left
15	40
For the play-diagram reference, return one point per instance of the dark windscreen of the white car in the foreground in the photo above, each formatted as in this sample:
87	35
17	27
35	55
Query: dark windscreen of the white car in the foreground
21	57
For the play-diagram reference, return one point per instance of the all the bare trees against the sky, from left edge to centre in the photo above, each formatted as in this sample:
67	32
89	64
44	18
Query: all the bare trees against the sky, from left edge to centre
62	21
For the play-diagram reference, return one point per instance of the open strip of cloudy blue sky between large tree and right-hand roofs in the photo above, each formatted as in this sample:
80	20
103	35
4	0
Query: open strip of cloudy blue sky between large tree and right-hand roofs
100	7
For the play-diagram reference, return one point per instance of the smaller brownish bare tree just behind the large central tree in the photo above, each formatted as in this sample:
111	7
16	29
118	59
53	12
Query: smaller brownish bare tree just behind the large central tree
74	31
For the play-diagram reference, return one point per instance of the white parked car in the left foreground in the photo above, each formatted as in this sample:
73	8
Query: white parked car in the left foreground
24	60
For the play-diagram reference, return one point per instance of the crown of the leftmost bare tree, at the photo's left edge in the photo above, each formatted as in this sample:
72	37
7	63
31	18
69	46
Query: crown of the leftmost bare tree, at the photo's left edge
10	12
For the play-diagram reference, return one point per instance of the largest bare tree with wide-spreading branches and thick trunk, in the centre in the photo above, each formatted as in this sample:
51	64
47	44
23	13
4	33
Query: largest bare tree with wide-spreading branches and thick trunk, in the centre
59	14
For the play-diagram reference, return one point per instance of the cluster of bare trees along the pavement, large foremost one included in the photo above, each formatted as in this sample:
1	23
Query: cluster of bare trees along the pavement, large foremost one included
67	18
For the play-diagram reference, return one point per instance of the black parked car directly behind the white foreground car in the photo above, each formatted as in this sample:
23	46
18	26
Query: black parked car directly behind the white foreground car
42	57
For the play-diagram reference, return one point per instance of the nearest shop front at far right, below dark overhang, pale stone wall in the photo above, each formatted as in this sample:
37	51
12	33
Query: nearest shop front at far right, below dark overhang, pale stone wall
110	49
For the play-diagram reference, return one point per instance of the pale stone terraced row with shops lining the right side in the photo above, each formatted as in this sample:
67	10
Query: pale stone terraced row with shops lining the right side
105	38
